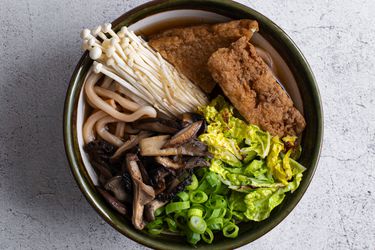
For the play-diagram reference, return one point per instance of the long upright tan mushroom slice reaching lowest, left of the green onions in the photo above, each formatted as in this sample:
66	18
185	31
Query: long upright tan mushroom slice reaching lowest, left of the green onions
143	193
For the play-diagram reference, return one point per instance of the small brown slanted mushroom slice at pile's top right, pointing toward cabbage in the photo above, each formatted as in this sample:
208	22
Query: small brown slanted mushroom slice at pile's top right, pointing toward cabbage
184	135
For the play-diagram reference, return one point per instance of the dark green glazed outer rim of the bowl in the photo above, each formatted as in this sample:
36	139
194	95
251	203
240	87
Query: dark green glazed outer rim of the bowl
75	160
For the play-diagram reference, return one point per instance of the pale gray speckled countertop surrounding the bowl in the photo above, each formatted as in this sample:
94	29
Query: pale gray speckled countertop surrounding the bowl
40	204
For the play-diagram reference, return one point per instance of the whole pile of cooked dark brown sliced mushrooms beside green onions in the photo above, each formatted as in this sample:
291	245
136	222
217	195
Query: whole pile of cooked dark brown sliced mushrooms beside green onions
151	166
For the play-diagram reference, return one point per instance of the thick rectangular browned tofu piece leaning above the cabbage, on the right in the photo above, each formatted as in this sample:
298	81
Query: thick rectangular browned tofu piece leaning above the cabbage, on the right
251	87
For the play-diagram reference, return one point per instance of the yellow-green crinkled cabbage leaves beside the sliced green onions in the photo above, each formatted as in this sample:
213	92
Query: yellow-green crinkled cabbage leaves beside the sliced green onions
254	165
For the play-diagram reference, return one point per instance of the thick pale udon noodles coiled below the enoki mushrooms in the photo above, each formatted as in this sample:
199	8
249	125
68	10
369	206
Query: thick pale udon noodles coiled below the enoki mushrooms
111	107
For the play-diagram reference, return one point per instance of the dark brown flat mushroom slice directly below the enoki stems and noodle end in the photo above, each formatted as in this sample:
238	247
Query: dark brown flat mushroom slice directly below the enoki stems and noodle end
158	125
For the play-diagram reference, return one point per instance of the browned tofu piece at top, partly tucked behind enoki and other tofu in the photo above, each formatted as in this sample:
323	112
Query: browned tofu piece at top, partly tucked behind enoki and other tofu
188	49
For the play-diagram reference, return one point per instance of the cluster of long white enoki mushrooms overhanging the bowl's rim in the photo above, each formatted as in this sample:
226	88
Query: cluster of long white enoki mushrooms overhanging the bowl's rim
144	74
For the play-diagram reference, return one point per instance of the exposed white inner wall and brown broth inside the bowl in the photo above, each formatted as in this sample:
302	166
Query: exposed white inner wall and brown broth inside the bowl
176	18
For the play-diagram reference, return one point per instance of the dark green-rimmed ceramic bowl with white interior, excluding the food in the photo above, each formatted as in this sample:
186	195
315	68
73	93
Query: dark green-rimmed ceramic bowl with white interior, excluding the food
293	71
